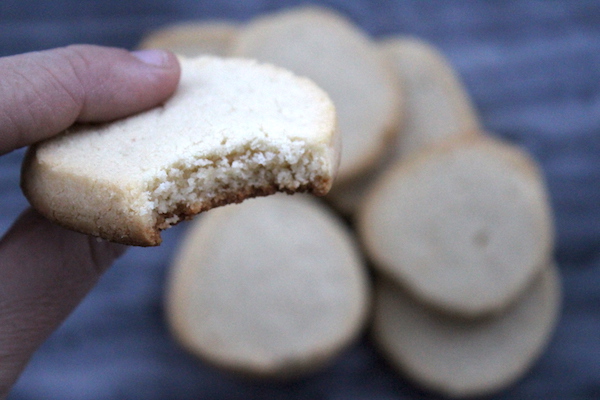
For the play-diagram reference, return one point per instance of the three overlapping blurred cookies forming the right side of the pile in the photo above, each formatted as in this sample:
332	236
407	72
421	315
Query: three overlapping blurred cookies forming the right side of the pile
458	227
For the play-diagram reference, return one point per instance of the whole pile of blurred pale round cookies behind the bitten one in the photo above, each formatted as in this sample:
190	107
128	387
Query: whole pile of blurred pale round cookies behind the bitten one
455	225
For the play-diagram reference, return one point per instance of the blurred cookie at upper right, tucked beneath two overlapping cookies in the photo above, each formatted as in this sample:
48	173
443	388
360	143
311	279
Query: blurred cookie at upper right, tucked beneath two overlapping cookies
437	108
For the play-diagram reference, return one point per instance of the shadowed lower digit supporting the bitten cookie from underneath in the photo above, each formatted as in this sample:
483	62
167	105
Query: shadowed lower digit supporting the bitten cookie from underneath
45	271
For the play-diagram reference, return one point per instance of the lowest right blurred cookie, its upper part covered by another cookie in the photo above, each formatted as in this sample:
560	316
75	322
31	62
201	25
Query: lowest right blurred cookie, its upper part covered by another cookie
461	358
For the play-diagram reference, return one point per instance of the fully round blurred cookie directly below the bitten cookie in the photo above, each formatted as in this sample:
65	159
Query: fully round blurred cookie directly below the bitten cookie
272	287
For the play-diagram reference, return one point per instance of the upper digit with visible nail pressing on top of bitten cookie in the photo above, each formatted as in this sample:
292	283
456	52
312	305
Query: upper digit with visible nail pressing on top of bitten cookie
45	92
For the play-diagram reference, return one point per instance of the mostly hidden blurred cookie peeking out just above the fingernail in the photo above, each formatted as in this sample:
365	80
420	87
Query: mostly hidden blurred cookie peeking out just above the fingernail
194	38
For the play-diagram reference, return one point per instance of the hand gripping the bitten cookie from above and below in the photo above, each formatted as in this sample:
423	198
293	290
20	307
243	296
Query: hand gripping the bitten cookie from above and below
46	270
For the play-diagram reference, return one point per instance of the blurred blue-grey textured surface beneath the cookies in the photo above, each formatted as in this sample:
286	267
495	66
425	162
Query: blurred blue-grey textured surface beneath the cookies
532	69
